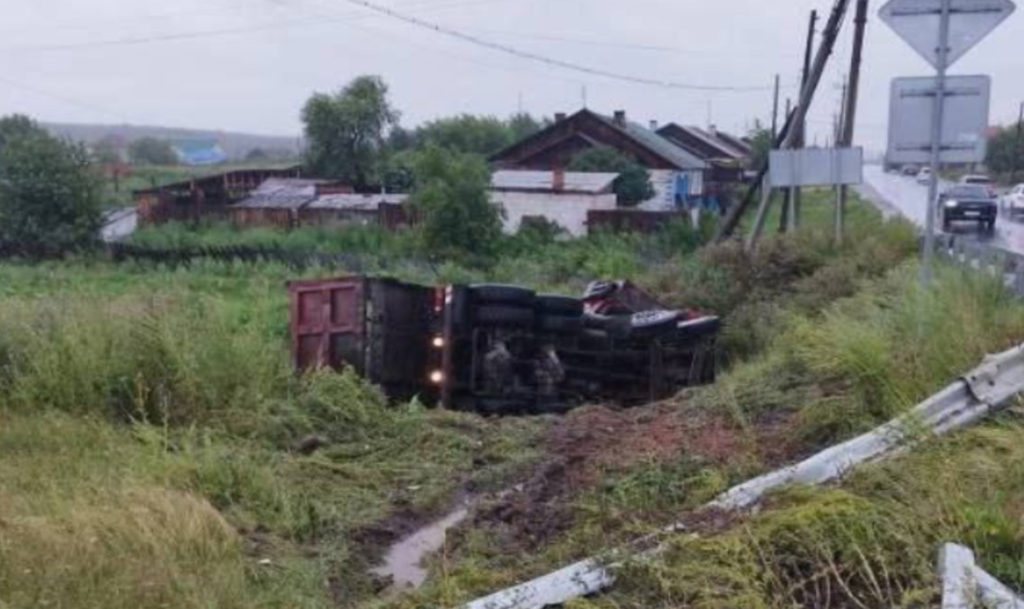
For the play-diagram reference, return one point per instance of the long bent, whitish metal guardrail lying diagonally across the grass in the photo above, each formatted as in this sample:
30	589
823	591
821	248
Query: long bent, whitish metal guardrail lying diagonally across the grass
975	397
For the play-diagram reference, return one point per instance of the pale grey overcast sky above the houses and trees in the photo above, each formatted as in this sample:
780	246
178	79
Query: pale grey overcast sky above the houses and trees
249	65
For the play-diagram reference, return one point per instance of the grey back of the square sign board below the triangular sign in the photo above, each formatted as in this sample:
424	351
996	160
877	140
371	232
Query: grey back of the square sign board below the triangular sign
964	122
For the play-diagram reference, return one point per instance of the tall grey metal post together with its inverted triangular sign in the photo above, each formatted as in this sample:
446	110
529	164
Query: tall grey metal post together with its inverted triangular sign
962	24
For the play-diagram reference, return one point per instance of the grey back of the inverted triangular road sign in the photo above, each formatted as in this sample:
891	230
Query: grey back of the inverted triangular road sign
918	22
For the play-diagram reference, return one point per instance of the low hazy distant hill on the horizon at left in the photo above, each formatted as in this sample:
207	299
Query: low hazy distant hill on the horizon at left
237	146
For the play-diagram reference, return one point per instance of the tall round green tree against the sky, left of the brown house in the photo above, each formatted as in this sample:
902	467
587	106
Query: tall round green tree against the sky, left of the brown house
346	132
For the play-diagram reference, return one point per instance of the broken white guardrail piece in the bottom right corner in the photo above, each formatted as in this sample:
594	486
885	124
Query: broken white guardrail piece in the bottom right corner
966	586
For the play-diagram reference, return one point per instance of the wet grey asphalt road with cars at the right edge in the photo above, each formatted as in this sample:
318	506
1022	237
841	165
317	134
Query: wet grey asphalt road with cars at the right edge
905	196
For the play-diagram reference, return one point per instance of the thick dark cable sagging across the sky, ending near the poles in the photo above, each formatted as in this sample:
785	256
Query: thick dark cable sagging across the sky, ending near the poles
545	60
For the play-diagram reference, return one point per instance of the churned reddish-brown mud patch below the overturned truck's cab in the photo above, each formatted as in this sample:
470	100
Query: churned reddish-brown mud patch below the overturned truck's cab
590	445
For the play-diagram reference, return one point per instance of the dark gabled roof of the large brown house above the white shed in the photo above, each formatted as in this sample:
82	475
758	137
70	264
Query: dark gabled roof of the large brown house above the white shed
588	129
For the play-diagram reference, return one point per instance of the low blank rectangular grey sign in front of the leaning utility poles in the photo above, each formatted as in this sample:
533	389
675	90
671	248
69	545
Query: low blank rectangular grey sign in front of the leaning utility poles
817	167
